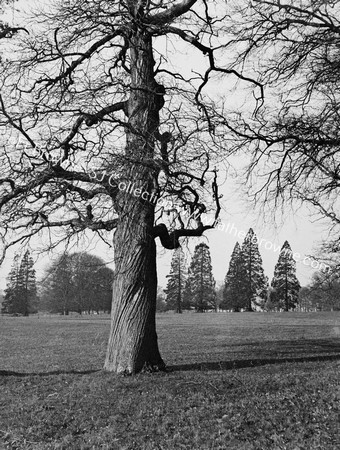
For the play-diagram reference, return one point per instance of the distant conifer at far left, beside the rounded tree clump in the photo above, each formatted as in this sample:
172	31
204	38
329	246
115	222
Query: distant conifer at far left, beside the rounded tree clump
21	290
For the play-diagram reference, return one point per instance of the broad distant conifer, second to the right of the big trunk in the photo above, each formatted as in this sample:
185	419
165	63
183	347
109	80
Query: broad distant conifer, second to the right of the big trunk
200	287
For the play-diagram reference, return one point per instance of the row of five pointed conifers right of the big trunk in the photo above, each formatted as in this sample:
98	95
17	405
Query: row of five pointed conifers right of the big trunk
246	287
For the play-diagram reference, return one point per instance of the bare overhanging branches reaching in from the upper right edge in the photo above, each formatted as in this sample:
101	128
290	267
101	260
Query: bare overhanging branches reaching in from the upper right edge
294	137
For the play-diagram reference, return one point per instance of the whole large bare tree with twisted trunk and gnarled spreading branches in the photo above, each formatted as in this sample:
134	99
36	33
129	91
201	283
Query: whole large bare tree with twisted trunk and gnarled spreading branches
102	128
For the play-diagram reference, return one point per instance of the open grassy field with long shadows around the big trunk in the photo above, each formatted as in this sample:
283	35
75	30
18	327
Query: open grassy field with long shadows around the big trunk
236	381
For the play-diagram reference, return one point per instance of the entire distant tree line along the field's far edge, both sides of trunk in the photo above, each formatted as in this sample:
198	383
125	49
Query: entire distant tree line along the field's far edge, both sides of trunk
81	282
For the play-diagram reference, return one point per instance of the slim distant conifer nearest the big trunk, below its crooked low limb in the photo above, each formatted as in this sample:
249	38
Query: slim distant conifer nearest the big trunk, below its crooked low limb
176	282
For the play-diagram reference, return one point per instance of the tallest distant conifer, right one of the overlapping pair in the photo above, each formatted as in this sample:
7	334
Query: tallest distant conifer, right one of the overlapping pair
256	283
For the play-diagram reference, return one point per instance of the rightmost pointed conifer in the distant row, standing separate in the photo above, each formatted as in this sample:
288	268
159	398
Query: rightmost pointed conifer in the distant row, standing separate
285	285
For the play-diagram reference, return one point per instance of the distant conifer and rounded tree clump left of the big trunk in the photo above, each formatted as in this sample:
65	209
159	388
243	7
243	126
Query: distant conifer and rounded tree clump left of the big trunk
78	282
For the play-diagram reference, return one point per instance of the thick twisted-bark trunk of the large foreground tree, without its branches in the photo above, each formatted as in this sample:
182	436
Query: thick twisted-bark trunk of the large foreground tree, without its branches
133	340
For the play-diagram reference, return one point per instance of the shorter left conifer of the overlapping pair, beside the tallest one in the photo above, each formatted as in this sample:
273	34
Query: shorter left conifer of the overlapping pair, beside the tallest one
235	292
